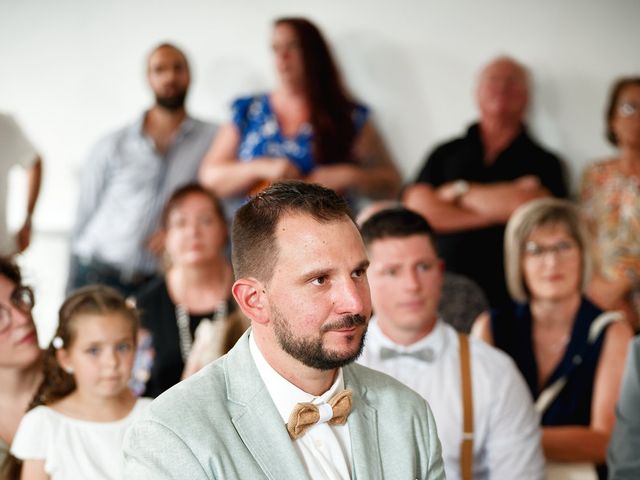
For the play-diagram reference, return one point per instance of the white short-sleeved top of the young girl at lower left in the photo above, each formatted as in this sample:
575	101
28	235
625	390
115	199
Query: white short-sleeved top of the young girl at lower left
72	448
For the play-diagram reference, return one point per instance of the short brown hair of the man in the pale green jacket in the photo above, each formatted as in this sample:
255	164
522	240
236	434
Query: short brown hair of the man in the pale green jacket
254	250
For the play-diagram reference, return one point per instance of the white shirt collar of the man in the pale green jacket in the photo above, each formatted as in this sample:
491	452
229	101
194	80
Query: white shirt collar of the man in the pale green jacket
284	394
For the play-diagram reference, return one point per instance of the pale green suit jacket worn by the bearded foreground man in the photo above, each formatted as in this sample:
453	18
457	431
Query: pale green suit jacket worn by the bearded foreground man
222	424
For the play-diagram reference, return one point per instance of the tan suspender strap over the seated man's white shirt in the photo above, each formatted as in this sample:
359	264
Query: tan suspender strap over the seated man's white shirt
466	447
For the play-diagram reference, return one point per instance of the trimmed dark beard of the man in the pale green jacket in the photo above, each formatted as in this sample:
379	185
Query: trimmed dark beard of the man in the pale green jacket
310	351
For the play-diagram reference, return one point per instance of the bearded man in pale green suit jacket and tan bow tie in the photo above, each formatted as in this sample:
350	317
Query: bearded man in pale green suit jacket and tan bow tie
287	402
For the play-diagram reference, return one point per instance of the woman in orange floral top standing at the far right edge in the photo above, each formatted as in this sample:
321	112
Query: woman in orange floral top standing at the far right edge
611	200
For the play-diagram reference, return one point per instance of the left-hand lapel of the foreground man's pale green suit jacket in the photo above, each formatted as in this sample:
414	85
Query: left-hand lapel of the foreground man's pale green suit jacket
256	418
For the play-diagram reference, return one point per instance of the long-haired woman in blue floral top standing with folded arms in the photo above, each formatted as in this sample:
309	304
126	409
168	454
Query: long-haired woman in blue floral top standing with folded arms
308	128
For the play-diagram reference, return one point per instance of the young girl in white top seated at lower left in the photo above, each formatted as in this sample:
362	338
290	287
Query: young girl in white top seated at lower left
83	406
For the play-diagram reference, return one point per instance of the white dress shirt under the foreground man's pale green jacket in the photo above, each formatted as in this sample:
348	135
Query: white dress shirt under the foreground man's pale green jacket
324	449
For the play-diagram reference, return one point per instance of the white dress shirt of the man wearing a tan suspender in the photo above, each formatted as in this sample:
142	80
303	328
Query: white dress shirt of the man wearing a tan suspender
506	428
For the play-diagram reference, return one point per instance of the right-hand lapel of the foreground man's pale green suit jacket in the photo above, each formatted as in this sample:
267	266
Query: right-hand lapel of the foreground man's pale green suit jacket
363	430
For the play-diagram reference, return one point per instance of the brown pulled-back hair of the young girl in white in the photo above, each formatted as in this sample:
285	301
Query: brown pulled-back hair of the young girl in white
92	300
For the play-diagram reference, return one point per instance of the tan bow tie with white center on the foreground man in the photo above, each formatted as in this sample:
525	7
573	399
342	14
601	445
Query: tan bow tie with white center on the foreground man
306	415
